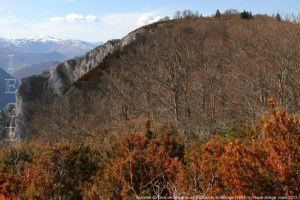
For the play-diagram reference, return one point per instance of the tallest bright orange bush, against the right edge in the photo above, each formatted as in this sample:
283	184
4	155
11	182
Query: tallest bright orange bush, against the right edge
269	166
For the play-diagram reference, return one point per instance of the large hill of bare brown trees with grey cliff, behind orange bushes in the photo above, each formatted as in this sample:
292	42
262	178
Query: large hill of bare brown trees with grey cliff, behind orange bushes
200	74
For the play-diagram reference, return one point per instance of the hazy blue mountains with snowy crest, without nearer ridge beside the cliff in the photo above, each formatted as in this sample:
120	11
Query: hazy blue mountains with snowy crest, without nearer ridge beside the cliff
40	49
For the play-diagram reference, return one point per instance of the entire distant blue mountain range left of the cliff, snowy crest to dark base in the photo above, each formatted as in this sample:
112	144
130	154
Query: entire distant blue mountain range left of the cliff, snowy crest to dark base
33	56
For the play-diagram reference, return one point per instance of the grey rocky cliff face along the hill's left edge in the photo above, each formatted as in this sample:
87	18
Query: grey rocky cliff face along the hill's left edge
53	83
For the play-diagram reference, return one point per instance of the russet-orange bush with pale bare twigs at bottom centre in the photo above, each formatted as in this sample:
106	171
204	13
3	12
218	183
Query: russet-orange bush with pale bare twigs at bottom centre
143	167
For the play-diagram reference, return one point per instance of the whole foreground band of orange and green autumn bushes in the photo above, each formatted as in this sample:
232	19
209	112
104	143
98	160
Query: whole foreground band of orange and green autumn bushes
156	162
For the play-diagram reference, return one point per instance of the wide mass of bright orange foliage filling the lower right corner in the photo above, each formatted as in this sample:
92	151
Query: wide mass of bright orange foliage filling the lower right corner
268	164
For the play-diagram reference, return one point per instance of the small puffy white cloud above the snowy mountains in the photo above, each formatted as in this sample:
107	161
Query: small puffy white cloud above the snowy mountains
75	18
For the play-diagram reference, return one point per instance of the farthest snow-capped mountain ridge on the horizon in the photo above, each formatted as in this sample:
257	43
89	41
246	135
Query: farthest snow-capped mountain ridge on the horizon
46	44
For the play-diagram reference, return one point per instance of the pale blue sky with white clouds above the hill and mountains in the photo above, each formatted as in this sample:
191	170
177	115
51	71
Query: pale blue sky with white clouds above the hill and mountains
99	20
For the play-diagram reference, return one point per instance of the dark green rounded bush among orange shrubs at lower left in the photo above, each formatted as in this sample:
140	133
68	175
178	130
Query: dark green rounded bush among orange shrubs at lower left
73	165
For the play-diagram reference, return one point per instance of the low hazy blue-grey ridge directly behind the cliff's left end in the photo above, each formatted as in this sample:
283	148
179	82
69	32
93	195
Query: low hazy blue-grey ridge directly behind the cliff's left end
34	69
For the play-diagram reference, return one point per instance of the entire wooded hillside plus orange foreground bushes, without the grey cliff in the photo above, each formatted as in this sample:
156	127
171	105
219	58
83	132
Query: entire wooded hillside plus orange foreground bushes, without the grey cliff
194	108
